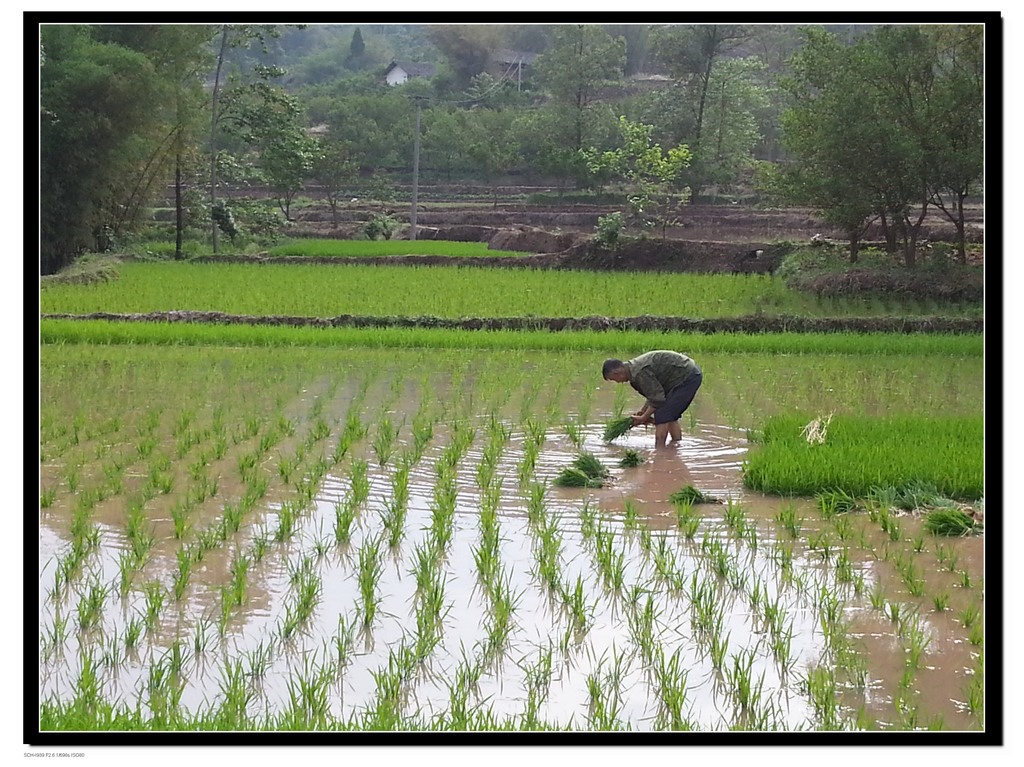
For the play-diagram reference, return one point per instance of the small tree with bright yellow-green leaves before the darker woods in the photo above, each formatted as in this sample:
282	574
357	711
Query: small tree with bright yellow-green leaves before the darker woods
651	175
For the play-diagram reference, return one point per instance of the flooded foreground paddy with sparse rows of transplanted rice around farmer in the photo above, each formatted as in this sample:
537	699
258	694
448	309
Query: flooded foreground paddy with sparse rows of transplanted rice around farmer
405	561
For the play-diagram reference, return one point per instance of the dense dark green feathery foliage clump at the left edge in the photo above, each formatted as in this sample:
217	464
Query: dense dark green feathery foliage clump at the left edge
104	135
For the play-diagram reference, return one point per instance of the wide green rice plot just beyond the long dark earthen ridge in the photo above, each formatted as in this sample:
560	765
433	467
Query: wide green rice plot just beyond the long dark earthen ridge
455	292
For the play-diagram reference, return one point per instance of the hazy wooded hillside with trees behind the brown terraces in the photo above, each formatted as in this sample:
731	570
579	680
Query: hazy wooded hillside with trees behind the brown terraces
865	123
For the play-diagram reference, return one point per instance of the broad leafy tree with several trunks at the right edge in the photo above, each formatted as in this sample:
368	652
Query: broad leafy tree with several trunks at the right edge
870	126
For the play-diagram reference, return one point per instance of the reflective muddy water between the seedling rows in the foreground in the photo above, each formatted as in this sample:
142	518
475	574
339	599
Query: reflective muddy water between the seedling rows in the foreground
710	457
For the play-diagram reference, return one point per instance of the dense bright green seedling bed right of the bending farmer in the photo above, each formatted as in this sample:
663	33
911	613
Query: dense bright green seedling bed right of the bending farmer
859	454
